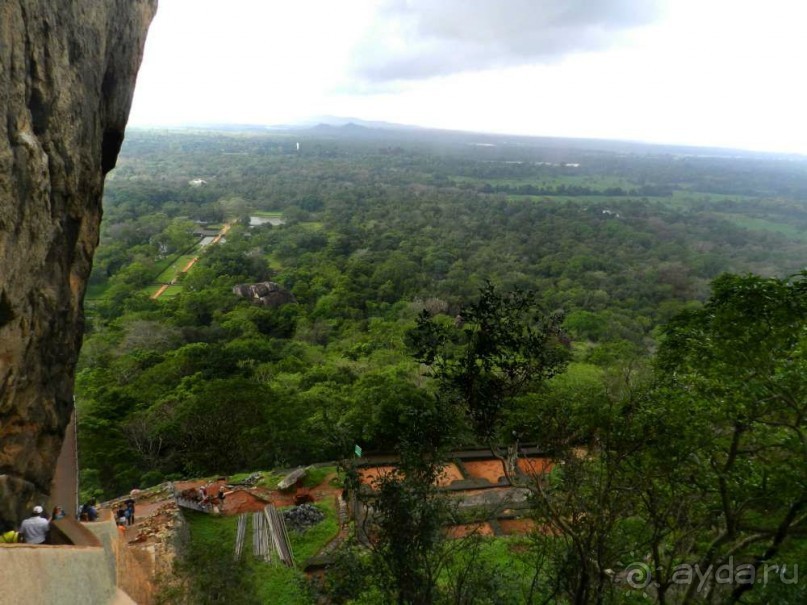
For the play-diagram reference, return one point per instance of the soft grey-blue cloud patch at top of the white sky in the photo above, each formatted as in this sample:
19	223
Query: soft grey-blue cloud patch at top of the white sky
415	39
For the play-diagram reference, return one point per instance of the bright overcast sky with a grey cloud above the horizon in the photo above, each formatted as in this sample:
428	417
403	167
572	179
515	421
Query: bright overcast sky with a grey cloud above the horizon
727	73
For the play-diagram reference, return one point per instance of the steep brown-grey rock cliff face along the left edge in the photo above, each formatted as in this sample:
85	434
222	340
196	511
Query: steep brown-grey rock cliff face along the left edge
67	74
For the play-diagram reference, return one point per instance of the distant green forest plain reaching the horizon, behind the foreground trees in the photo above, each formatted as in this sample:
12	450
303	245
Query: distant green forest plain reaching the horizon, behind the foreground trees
378	228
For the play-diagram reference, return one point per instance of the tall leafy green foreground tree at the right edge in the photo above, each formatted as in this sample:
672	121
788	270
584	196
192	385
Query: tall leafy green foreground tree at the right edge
737	366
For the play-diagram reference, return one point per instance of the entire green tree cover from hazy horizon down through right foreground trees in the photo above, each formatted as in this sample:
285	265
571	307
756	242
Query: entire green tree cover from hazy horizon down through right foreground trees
685	386
